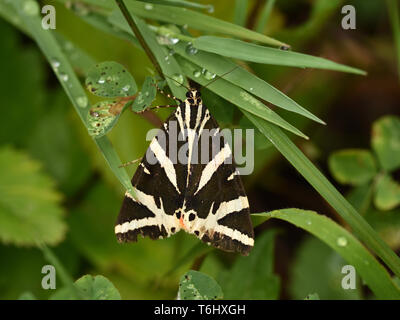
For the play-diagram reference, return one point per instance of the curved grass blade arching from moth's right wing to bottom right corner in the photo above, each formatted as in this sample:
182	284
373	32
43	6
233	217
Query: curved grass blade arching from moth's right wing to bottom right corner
344	243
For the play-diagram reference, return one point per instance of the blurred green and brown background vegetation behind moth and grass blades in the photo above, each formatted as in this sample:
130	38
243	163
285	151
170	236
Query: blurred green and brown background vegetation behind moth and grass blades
63	186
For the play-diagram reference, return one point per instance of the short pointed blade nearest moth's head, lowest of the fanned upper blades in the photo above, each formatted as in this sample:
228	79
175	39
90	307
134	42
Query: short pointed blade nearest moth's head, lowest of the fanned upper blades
239	97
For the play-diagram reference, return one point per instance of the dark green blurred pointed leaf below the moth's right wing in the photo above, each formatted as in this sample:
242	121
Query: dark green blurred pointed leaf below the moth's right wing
253	277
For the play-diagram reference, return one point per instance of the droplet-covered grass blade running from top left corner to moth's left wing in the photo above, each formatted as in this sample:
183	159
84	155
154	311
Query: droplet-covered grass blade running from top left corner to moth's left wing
67	77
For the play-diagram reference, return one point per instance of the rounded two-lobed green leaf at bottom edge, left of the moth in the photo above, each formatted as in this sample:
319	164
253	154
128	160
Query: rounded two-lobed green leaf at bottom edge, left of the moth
91	288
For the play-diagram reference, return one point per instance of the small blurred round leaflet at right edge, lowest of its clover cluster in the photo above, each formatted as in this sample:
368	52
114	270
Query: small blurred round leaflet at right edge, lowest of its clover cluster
387	193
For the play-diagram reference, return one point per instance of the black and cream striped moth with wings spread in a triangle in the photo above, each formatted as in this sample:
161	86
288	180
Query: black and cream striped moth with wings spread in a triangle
204	198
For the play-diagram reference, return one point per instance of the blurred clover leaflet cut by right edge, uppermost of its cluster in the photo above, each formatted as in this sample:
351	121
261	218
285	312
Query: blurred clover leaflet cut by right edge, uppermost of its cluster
386	141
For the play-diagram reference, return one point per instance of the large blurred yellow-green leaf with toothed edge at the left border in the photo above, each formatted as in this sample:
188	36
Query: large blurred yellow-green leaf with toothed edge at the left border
30	211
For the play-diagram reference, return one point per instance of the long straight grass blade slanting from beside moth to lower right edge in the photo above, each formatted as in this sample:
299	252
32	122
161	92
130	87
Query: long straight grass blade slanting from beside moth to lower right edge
322	185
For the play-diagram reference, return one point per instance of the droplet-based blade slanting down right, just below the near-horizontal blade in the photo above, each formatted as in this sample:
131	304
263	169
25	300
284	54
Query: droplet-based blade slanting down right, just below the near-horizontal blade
221	66
